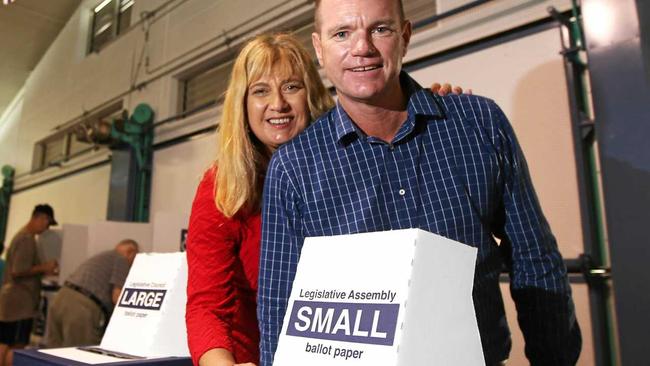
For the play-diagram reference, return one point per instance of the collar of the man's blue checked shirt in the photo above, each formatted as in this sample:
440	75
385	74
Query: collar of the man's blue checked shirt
421	103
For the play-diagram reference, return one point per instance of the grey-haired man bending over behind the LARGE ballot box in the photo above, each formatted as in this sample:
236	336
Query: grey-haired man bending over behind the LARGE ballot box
81	309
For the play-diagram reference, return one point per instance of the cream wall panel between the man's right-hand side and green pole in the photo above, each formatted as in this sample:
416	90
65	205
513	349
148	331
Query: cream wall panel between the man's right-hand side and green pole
526	78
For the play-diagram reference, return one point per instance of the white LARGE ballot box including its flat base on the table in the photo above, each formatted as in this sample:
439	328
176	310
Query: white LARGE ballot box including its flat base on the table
148	322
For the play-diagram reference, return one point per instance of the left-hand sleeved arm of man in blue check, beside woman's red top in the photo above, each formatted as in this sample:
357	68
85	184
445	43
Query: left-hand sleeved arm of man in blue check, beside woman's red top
282	238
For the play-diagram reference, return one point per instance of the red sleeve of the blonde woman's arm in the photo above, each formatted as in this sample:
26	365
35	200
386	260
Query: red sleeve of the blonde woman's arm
210	258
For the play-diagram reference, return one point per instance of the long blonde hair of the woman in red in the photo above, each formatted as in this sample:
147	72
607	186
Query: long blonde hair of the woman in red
241	158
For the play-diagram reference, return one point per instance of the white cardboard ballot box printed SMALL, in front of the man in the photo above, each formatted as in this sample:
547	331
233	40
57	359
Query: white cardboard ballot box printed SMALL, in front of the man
400	297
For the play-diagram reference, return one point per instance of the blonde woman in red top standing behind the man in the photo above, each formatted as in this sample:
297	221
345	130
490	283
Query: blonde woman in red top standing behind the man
274	92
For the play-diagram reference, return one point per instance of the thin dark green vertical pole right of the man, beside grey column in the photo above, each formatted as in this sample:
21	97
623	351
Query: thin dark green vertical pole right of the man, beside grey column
596	264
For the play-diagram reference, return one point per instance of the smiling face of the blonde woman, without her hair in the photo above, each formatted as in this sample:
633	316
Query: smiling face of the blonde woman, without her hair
277	109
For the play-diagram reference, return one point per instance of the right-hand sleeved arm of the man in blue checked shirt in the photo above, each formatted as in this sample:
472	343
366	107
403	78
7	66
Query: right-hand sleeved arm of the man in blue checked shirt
539	283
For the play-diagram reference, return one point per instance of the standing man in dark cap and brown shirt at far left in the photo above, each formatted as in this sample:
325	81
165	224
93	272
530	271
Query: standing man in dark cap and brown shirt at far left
21	287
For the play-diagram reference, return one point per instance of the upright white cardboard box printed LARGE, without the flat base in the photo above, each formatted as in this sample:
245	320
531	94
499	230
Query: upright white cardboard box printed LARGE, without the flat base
149	318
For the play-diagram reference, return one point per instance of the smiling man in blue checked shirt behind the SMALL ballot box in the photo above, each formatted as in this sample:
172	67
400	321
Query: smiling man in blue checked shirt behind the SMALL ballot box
393	156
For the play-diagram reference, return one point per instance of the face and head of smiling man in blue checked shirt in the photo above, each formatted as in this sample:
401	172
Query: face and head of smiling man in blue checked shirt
360	44
